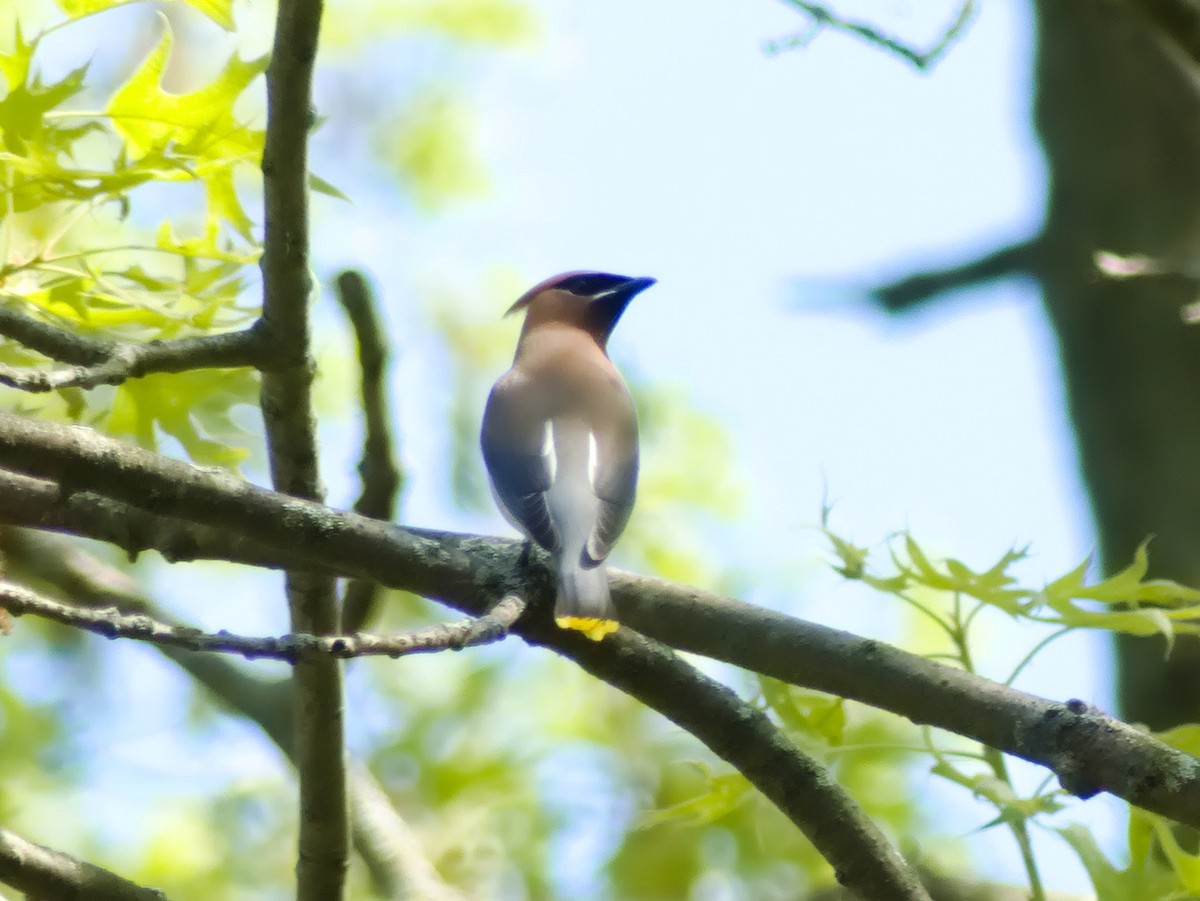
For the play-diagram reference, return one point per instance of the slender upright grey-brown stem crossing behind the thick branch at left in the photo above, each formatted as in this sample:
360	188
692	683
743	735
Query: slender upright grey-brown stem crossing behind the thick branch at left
292	443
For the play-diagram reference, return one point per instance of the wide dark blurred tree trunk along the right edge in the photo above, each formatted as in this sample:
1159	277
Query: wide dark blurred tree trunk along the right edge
1118	111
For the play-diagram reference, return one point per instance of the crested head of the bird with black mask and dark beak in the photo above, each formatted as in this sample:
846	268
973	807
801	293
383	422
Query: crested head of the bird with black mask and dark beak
592	302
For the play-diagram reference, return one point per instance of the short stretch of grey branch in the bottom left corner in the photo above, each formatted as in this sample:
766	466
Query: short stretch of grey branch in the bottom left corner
44	874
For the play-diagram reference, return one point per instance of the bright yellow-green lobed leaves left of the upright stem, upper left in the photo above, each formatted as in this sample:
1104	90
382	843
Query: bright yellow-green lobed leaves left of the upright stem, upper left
77	254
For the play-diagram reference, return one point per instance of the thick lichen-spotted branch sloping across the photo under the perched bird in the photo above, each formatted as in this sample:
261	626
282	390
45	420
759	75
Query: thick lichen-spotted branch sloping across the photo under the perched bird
1089	752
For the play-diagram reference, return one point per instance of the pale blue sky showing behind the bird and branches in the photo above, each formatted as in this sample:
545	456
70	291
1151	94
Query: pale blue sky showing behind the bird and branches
767	194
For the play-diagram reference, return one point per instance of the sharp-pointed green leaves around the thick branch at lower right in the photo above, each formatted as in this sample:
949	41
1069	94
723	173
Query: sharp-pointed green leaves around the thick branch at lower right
951	596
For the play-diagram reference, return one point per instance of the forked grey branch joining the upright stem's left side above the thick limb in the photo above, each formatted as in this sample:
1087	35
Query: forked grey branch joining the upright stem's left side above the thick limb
101	363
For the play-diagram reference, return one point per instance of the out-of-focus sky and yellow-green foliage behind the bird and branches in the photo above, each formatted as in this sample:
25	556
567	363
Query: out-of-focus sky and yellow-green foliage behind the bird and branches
770	185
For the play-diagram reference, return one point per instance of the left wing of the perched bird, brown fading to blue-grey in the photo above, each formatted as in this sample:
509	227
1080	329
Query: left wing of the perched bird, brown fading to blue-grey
518	460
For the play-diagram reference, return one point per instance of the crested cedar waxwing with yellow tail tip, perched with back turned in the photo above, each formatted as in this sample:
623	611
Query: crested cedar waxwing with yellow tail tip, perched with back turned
561	439
